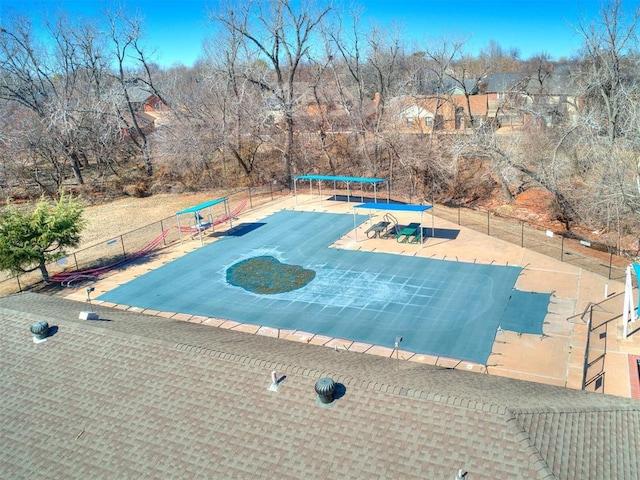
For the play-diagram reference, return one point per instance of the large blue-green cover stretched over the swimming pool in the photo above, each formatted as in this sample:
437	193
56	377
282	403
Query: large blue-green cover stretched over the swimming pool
441	308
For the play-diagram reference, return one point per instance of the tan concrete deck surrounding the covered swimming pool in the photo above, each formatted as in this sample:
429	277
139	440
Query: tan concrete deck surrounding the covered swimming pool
556	358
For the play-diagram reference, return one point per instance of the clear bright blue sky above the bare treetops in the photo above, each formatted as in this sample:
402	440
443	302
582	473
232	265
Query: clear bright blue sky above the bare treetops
177	28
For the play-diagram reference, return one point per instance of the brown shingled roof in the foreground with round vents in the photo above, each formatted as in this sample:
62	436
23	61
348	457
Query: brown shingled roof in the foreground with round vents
141	396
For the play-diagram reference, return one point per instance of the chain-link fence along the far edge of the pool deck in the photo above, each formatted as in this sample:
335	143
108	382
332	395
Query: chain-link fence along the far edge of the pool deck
597	258
